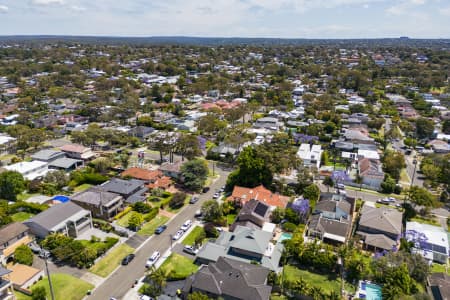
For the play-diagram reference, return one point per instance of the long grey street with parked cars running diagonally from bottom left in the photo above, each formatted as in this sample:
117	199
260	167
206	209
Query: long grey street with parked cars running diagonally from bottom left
123	278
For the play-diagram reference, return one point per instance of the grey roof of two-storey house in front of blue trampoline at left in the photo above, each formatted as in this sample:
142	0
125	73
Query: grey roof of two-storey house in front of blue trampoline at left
56	214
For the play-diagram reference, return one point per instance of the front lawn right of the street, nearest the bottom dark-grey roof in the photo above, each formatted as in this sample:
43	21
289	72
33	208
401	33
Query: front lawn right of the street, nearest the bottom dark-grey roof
178	267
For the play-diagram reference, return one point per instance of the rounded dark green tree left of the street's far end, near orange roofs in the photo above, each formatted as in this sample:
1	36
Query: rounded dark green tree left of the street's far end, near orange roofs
194	174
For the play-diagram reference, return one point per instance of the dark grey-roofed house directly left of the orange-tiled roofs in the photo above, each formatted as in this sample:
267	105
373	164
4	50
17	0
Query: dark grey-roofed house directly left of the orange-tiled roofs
131	190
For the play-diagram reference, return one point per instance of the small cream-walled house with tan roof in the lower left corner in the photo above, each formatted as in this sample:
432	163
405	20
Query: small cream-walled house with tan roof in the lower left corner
23	276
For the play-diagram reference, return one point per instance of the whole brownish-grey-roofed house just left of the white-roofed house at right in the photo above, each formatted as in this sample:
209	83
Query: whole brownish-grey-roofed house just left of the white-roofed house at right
380	227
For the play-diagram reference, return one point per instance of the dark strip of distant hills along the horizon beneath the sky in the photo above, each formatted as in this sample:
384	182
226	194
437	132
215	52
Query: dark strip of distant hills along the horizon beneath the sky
217	41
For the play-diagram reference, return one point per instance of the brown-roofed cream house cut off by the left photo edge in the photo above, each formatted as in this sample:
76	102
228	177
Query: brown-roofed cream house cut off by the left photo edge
12	236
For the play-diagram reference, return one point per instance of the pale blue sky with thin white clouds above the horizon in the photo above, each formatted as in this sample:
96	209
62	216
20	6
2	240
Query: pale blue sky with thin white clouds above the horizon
228	18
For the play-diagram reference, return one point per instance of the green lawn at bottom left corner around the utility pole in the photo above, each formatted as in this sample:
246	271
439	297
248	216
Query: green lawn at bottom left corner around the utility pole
65	286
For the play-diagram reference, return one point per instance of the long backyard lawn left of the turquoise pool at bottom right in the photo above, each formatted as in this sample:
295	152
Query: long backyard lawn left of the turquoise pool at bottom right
327	283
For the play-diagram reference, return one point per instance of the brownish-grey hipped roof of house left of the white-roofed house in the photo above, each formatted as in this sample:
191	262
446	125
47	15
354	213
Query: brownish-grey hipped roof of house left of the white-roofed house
382	218
